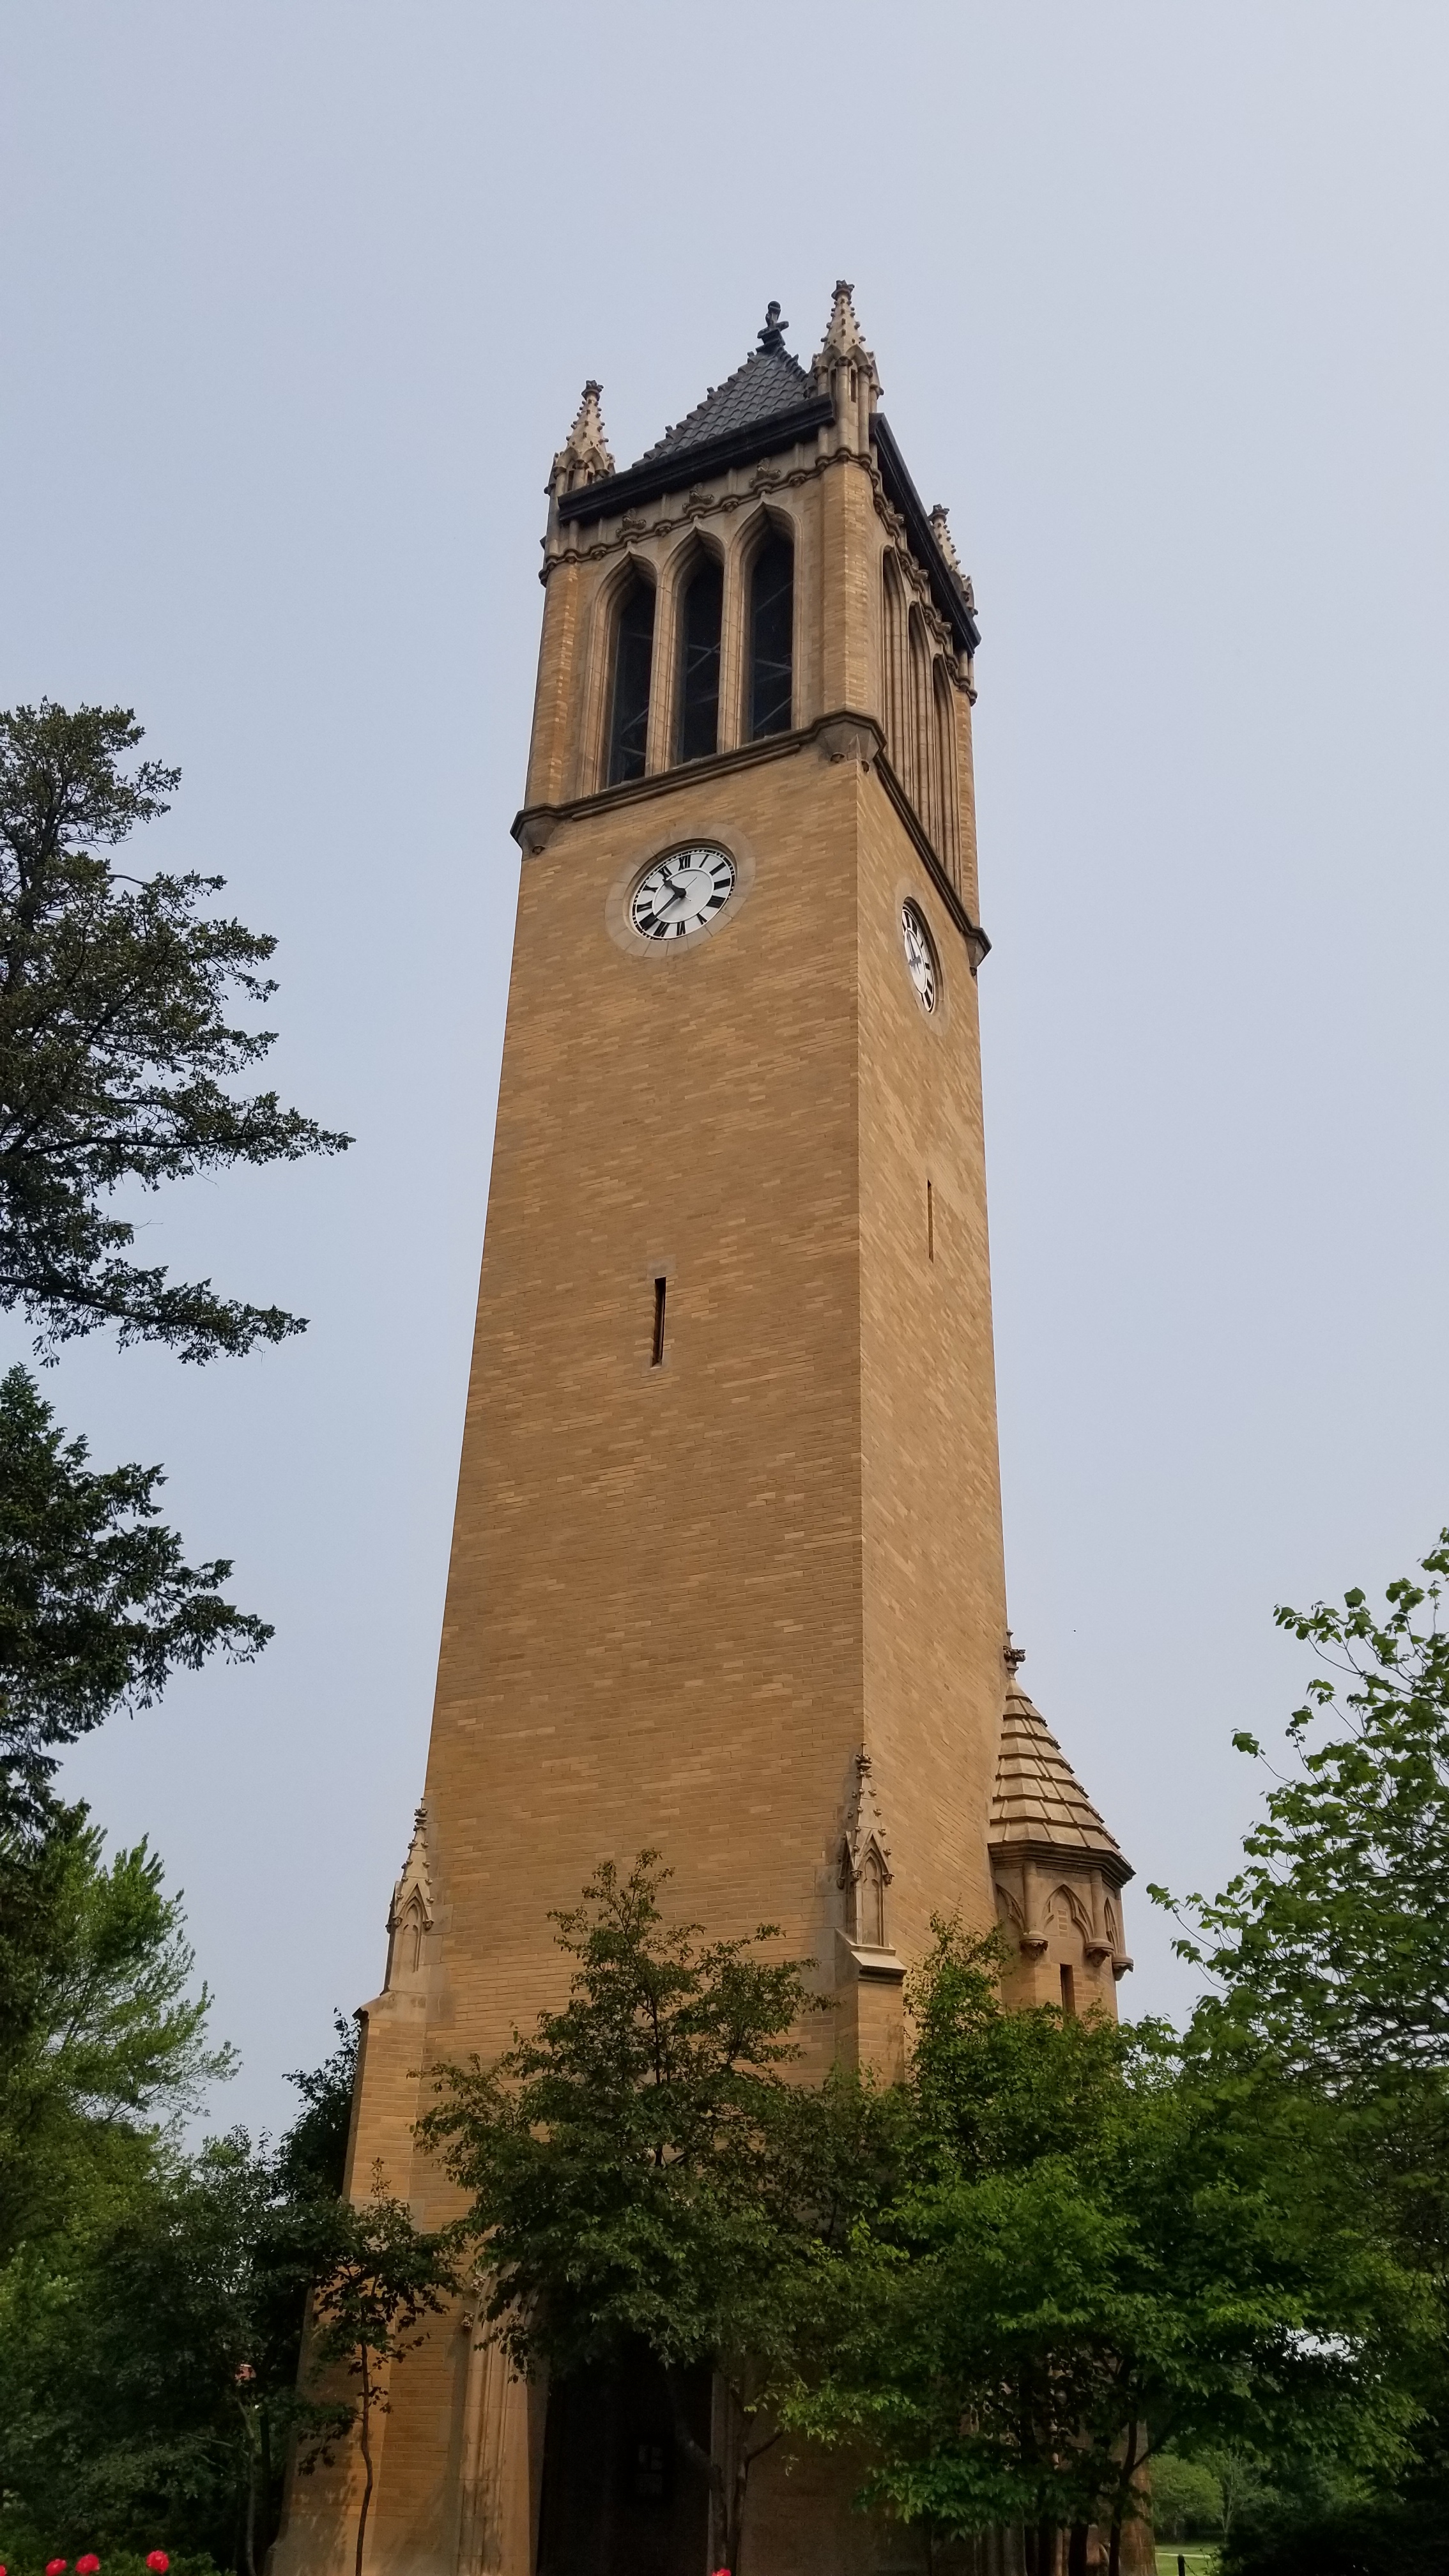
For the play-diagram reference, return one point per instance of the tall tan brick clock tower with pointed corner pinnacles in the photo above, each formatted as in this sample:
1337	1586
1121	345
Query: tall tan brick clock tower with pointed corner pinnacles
726	1567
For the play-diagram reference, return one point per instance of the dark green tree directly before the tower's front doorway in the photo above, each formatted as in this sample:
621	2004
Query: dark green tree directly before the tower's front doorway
643	2173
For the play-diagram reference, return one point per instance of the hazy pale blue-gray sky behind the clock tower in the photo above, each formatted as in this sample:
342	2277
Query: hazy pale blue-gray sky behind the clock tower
298	303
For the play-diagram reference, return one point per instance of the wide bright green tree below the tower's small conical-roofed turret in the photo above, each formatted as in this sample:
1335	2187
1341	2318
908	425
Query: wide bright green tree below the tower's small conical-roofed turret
1089	2258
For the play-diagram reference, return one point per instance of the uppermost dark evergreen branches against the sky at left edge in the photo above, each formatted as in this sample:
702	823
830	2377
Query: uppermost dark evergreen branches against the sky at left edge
115	1042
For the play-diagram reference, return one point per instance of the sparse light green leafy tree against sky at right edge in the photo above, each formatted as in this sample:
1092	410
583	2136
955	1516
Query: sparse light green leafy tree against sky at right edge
1329	1987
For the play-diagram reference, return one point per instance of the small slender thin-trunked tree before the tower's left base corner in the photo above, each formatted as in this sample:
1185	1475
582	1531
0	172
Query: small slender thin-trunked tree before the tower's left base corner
367	2312
